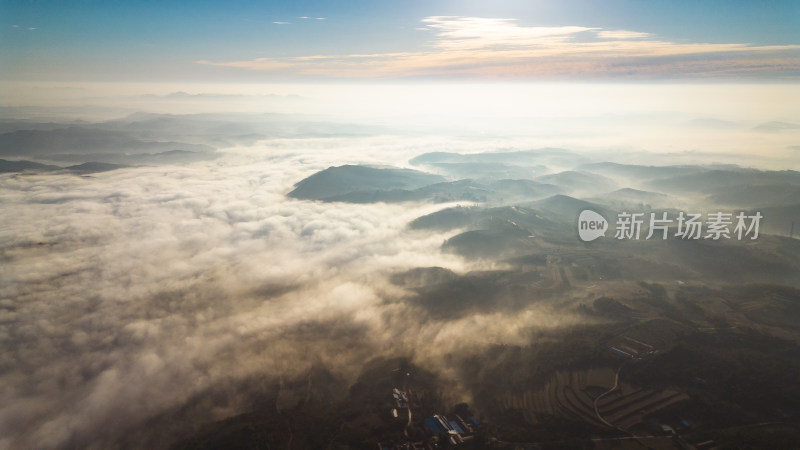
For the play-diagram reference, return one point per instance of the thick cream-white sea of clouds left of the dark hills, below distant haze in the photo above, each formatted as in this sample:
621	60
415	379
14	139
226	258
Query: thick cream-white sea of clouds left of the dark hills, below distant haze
128	293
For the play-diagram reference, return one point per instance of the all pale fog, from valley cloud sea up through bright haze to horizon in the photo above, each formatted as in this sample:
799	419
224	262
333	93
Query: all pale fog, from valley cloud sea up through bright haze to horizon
127	292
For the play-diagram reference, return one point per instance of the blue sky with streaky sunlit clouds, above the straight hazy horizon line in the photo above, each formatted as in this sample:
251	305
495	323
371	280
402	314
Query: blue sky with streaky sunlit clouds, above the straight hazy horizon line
298	40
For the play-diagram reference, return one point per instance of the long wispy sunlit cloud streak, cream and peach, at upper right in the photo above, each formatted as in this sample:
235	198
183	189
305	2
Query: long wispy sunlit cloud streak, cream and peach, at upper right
500	47
